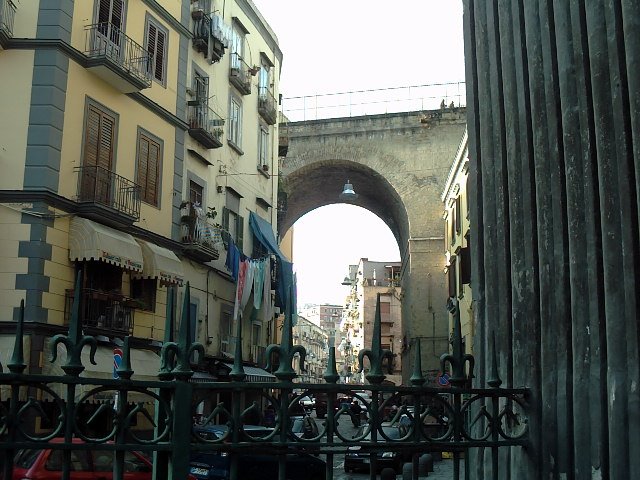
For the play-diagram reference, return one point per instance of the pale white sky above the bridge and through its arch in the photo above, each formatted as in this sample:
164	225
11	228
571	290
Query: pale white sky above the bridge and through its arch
333	46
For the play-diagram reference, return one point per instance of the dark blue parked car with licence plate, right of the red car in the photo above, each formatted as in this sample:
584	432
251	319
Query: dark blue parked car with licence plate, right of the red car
215	465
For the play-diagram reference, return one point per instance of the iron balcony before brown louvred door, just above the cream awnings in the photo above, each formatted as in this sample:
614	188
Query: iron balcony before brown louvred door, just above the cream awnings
103	195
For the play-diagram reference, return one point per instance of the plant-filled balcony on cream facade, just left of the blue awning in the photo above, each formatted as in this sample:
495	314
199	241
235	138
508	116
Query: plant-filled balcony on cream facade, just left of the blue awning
198	236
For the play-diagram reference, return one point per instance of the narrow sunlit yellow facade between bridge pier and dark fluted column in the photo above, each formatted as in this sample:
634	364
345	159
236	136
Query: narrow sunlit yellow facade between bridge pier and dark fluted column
458	241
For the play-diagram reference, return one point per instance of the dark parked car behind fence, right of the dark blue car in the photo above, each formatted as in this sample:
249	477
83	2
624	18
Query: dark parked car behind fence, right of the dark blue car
356	459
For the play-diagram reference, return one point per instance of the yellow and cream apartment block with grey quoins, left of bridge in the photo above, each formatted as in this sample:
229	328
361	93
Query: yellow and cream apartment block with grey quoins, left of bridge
137	138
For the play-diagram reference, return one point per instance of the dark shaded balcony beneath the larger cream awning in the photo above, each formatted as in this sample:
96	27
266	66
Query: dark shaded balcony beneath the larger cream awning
102	312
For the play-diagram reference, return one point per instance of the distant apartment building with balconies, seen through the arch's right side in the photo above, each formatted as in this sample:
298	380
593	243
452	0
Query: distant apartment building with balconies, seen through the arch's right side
366	280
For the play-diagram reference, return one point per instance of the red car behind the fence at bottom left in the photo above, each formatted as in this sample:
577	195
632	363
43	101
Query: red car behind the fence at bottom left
46	464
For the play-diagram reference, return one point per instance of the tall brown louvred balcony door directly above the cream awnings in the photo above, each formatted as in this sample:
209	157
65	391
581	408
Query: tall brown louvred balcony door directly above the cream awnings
97	161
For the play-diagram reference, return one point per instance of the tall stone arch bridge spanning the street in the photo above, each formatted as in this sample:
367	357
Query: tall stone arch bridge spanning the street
398	164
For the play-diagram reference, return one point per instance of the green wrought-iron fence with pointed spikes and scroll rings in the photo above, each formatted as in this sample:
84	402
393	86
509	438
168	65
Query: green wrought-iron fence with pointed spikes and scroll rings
72	413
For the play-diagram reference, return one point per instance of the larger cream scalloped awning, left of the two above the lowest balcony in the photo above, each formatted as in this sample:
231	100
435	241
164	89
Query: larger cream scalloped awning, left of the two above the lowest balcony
93	241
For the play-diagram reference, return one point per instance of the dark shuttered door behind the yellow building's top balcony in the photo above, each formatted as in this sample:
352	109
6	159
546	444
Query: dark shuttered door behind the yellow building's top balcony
109	35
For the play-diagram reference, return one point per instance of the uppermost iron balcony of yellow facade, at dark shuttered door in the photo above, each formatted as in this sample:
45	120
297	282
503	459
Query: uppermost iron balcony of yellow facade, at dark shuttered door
117	59
